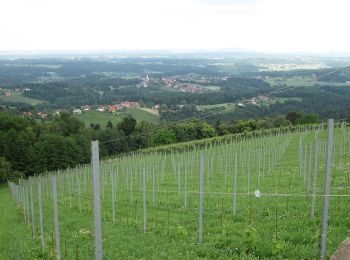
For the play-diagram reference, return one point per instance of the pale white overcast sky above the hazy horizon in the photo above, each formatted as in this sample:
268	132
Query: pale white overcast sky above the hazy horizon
251	25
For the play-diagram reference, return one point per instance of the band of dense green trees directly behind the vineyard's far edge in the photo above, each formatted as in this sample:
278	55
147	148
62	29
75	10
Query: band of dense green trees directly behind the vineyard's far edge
29	147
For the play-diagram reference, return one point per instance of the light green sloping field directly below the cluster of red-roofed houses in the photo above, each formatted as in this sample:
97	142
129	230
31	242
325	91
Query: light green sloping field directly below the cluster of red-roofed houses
102	118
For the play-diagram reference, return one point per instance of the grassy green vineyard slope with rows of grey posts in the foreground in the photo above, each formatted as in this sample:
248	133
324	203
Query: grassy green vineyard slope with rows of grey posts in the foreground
239	198
